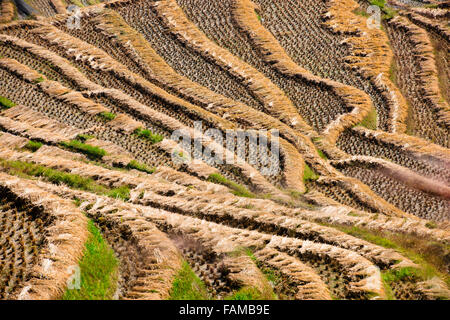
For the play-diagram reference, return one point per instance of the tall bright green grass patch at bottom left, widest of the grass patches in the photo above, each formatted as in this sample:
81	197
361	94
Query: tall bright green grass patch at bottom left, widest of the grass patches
98	270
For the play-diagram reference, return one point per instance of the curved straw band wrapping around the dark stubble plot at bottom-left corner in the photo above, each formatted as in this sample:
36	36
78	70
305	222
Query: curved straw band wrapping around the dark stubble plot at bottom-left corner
64	244
